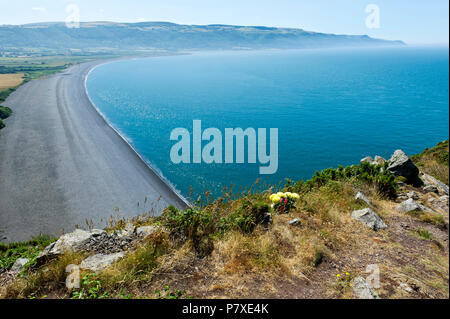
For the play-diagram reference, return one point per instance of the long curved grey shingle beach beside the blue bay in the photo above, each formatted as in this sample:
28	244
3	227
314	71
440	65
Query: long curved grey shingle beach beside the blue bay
62	164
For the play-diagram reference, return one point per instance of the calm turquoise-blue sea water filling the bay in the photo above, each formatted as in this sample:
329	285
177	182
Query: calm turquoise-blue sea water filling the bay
331	107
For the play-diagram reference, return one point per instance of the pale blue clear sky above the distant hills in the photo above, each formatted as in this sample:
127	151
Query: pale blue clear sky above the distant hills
413	21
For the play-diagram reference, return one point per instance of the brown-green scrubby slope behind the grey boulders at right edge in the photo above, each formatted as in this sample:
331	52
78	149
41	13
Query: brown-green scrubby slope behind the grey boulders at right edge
434	161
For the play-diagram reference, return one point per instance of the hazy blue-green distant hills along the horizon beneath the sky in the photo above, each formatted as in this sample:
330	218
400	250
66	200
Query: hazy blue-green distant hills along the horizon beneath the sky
108	36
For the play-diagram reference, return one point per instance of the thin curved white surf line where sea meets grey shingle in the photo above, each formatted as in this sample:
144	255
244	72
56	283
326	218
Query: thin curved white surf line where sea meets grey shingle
165	180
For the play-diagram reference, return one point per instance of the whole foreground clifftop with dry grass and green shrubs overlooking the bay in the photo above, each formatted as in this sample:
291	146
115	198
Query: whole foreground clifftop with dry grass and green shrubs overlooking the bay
246	248
